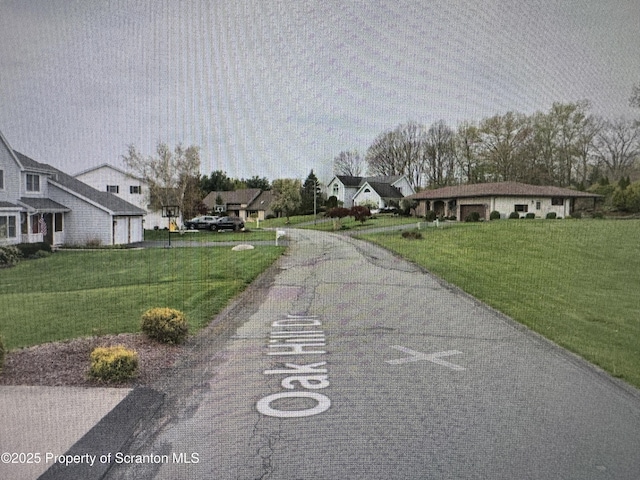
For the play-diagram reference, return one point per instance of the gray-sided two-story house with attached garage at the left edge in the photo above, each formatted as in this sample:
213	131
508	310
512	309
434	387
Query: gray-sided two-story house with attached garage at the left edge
39	203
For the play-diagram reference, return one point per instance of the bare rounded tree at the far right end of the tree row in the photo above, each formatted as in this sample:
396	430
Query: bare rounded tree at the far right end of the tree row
617	146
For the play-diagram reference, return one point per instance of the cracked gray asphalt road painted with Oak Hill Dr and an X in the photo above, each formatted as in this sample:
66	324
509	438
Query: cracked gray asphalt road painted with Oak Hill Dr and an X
346	362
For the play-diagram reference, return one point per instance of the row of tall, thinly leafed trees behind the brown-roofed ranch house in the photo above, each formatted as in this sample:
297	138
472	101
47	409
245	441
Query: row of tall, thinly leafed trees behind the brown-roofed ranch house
566	146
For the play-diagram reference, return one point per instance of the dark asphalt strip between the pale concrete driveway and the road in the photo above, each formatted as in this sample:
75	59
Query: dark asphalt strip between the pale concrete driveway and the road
108	436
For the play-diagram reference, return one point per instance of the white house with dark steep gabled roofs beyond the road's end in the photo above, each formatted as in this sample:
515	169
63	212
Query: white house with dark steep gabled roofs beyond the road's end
382	191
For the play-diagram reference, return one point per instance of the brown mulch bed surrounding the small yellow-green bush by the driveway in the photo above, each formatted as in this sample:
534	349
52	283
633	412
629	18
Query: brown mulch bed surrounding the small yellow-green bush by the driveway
67	363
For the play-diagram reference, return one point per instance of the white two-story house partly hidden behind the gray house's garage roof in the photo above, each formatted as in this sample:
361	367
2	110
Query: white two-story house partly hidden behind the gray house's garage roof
107	178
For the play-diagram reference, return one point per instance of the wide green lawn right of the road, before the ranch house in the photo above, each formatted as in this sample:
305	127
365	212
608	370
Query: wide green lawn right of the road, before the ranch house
576	282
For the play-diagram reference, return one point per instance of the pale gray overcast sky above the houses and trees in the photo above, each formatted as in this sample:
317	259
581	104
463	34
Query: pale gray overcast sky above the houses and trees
276	88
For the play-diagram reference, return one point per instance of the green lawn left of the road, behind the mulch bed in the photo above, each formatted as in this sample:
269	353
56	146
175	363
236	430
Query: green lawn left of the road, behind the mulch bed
75	294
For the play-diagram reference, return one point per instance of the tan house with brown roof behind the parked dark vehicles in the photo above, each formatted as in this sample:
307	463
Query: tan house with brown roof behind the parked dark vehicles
245	203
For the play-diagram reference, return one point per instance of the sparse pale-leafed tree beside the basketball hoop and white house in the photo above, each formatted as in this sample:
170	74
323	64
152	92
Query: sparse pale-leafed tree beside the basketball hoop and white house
170	175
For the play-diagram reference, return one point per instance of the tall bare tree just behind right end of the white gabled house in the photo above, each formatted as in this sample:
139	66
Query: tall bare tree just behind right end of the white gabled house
399	152
